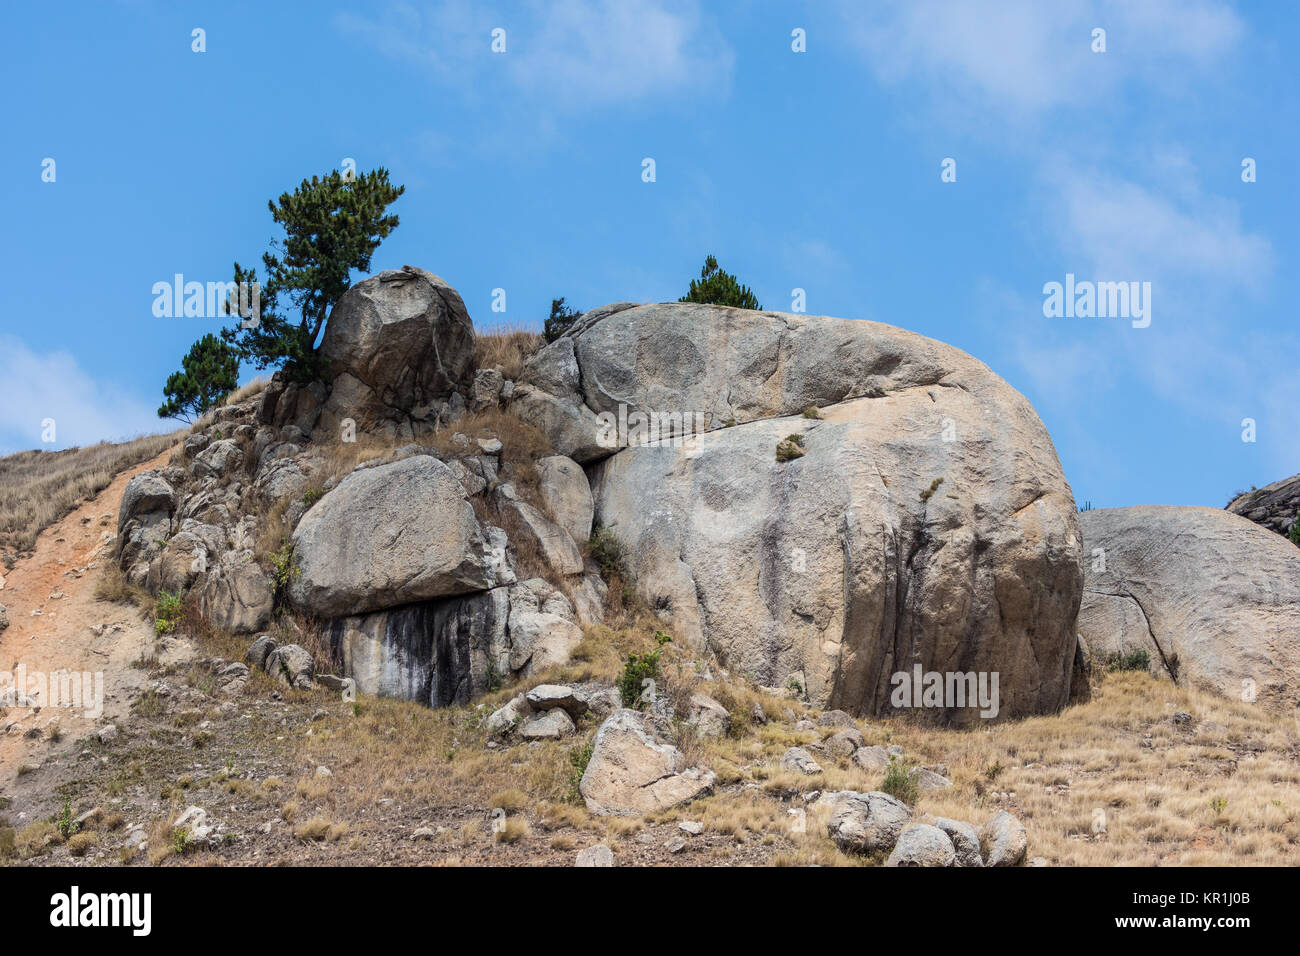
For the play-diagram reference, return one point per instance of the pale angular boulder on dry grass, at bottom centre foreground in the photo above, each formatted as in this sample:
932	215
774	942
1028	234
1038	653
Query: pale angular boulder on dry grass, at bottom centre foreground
631	773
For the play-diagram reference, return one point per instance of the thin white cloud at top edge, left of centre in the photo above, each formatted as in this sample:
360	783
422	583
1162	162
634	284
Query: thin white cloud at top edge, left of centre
560	57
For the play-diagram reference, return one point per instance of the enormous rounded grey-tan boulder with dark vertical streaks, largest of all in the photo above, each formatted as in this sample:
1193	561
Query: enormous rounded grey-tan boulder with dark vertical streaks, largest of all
928	522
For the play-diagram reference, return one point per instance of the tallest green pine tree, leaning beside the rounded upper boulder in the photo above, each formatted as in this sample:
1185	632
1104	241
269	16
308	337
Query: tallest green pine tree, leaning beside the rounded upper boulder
332	227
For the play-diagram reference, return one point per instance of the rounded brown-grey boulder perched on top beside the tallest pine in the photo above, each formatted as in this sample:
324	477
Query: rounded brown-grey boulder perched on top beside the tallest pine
400	345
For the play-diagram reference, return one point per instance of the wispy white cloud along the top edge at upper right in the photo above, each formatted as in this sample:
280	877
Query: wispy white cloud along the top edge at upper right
1025	57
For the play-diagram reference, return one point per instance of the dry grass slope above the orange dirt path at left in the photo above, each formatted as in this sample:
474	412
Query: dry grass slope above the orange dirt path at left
40	488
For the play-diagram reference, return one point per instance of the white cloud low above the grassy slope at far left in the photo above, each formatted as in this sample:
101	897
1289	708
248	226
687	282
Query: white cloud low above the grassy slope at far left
55	387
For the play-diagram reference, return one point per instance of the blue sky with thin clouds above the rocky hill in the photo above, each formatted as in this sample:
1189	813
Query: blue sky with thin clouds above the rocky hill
817	171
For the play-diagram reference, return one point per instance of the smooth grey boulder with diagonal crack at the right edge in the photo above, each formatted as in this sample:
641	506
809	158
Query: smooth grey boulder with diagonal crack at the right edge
1211	596
